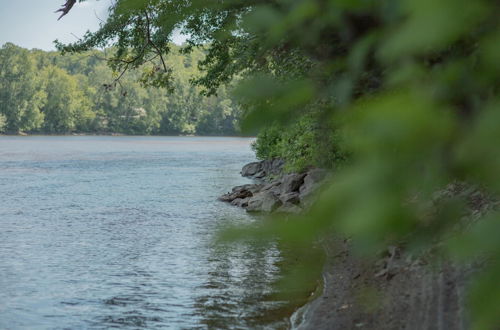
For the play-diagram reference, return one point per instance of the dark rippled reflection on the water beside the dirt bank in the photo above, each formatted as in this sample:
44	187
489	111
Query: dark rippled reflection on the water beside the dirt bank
236	283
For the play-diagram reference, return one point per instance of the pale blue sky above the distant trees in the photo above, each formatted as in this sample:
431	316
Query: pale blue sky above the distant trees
33	23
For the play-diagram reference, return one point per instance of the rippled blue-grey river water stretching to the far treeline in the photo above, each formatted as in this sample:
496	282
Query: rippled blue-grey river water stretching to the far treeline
118	232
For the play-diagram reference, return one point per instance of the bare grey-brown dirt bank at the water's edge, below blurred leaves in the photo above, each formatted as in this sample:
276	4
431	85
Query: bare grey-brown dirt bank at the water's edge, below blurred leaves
392	293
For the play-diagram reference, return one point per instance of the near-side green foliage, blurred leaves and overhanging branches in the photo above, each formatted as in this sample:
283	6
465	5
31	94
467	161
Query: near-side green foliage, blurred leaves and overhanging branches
407	88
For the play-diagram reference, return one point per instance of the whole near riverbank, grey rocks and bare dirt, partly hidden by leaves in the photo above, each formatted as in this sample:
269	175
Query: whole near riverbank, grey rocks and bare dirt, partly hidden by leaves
394	289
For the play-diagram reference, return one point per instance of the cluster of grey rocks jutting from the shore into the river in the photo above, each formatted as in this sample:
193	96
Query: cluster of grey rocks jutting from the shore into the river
274	190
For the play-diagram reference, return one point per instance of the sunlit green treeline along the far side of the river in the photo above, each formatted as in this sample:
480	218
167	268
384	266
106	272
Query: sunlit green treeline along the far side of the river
46	93
